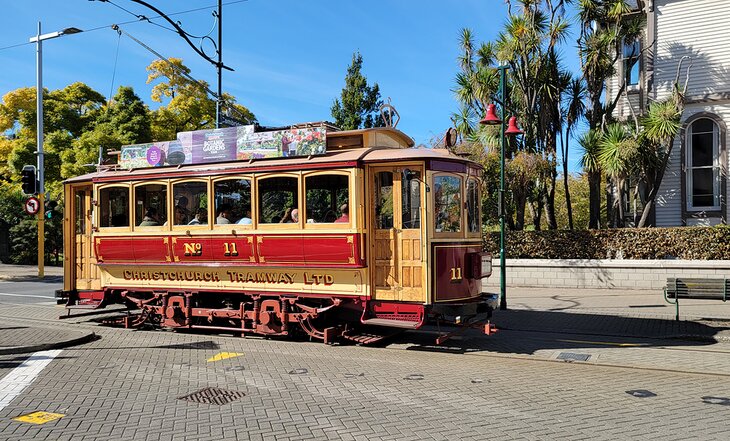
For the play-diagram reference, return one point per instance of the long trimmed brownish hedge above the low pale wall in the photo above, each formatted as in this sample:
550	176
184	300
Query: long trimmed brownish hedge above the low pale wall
701	243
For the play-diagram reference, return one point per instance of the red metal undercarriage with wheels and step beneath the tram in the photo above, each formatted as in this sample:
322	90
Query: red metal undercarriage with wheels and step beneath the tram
324	318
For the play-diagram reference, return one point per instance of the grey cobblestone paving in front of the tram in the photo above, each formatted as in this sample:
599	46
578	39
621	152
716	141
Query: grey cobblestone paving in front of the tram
126	386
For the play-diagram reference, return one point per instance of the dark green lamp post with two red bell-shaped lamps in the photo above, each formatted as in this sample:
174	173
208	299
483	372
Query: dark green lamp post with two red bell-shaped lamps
491	118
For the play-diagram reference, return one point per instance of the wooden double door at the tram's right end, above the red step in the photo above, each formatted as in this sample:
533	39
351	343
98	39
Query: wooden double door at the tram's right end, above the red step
396	248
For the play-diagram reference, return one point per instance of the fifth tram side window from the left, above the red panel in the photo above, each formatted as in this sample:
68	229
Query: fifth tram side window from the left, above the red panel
278	200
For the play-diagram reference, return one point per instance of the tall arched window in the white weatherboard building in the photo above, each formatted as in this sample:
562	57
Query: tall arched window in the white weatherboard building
704	185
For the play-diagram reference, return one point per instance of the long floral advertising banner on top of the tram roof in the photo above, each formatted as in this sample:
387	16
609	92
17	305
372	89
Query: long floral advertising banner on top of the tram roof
226	144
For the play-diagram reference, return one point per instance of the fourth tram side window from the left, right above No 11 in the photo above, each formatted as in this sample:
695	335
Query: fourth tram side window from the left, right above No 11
233	201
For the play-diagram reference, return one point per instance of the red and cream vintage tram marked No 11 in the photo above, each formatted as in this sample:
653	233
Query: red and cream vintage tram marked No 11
335	234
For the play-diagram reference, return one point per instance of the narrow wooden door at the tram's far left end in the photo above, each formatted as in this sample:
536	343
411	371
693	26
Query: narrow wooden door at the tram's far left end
85	269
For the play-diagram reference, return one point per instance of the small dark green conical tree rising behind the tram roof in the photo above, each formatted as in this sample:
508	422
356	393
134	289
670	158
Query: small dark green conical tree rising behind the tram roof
359	104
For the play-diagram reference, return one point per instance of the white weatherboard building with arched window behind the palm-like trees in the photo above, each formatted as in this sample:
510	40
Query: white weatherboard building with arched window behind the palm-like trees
694	190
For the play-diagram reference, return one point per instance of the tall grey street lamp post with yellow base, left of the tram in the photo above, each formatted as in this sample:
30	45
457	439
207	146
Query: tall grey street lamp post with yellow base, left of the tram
38	39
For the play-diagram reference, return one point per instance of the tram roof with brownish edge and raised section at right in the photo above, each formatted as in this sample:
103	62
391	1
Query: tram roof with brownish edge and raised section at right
401	150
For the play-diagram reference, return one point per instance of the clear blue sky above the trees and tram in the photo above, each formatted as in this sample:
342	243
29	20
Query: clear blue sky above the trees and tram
289	56
